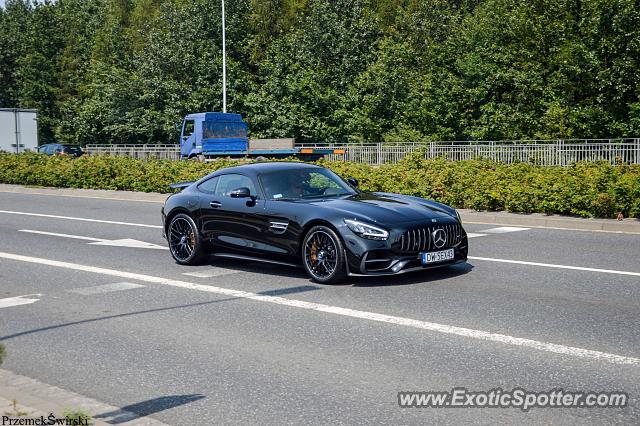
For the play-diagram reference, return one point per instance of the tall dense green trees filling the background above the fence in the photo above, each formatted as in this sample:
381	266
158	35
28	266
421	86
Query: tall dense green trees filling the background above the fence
125	71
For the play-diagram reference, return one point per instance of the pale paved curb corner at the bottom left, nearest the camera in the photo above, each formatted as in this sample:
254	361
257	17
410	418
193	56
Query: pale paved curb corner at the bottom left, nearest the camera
34	399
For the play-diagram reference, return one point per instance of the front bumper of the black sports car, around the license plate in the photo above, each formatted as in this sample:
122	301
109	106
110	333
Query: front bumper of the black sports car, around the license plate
367	257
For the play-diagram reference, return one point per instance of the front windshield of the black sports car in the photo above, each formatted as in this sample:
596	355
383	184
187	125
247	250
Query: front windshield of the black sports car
304	183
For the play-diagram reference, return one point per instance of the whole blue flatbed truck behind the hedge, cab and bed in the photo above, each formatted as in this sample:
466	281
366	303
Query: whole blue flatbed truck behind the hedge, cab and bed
209	135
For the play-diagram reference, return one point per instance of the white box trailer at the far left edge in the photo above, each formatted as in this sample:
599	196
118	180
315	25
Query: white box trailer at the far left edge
18	130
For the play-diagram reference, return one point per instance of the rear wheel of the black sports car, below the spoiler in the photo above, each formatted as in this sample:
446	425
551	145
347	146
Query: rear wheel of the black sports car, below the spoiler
185	242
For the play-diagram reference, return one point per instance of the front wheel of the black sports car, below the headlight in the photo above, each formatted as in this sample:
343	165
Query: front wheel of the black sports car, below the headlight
323	255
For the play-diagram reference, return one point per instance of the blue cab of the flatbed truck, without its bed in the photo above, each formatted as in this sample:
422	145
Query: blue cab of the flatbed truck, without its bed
222	134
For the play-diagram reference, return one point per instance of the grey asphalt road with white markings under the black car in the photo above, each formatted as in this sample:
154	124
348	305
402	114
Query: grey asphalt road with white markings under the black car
85	308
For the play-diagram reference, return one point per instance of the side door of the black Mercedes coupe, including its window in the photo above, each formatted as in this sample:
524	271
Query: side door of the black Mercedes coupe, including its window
234	224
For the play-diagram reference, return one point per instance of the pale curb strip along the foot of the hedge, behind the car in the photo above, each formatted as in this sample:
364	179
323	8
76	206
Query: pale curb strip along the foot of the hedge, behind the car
534	220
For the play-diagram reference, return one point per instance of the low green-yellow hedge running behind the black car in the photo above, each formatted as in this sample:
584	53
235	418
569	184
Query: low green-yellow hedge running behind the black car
590	189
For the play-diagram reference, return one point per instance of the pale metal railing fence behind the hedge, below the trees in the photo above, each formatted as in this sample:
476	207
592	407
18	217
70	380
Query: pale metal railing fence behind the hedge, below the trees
545	153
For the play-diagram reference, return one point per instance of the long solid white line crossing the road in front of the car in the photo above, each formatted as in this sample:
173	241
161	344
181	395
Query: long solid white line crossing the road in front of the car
371	316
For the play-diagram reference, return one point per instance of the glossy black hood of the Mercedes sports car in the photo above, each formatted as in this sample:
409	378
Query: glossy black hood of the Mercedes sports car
385	208
